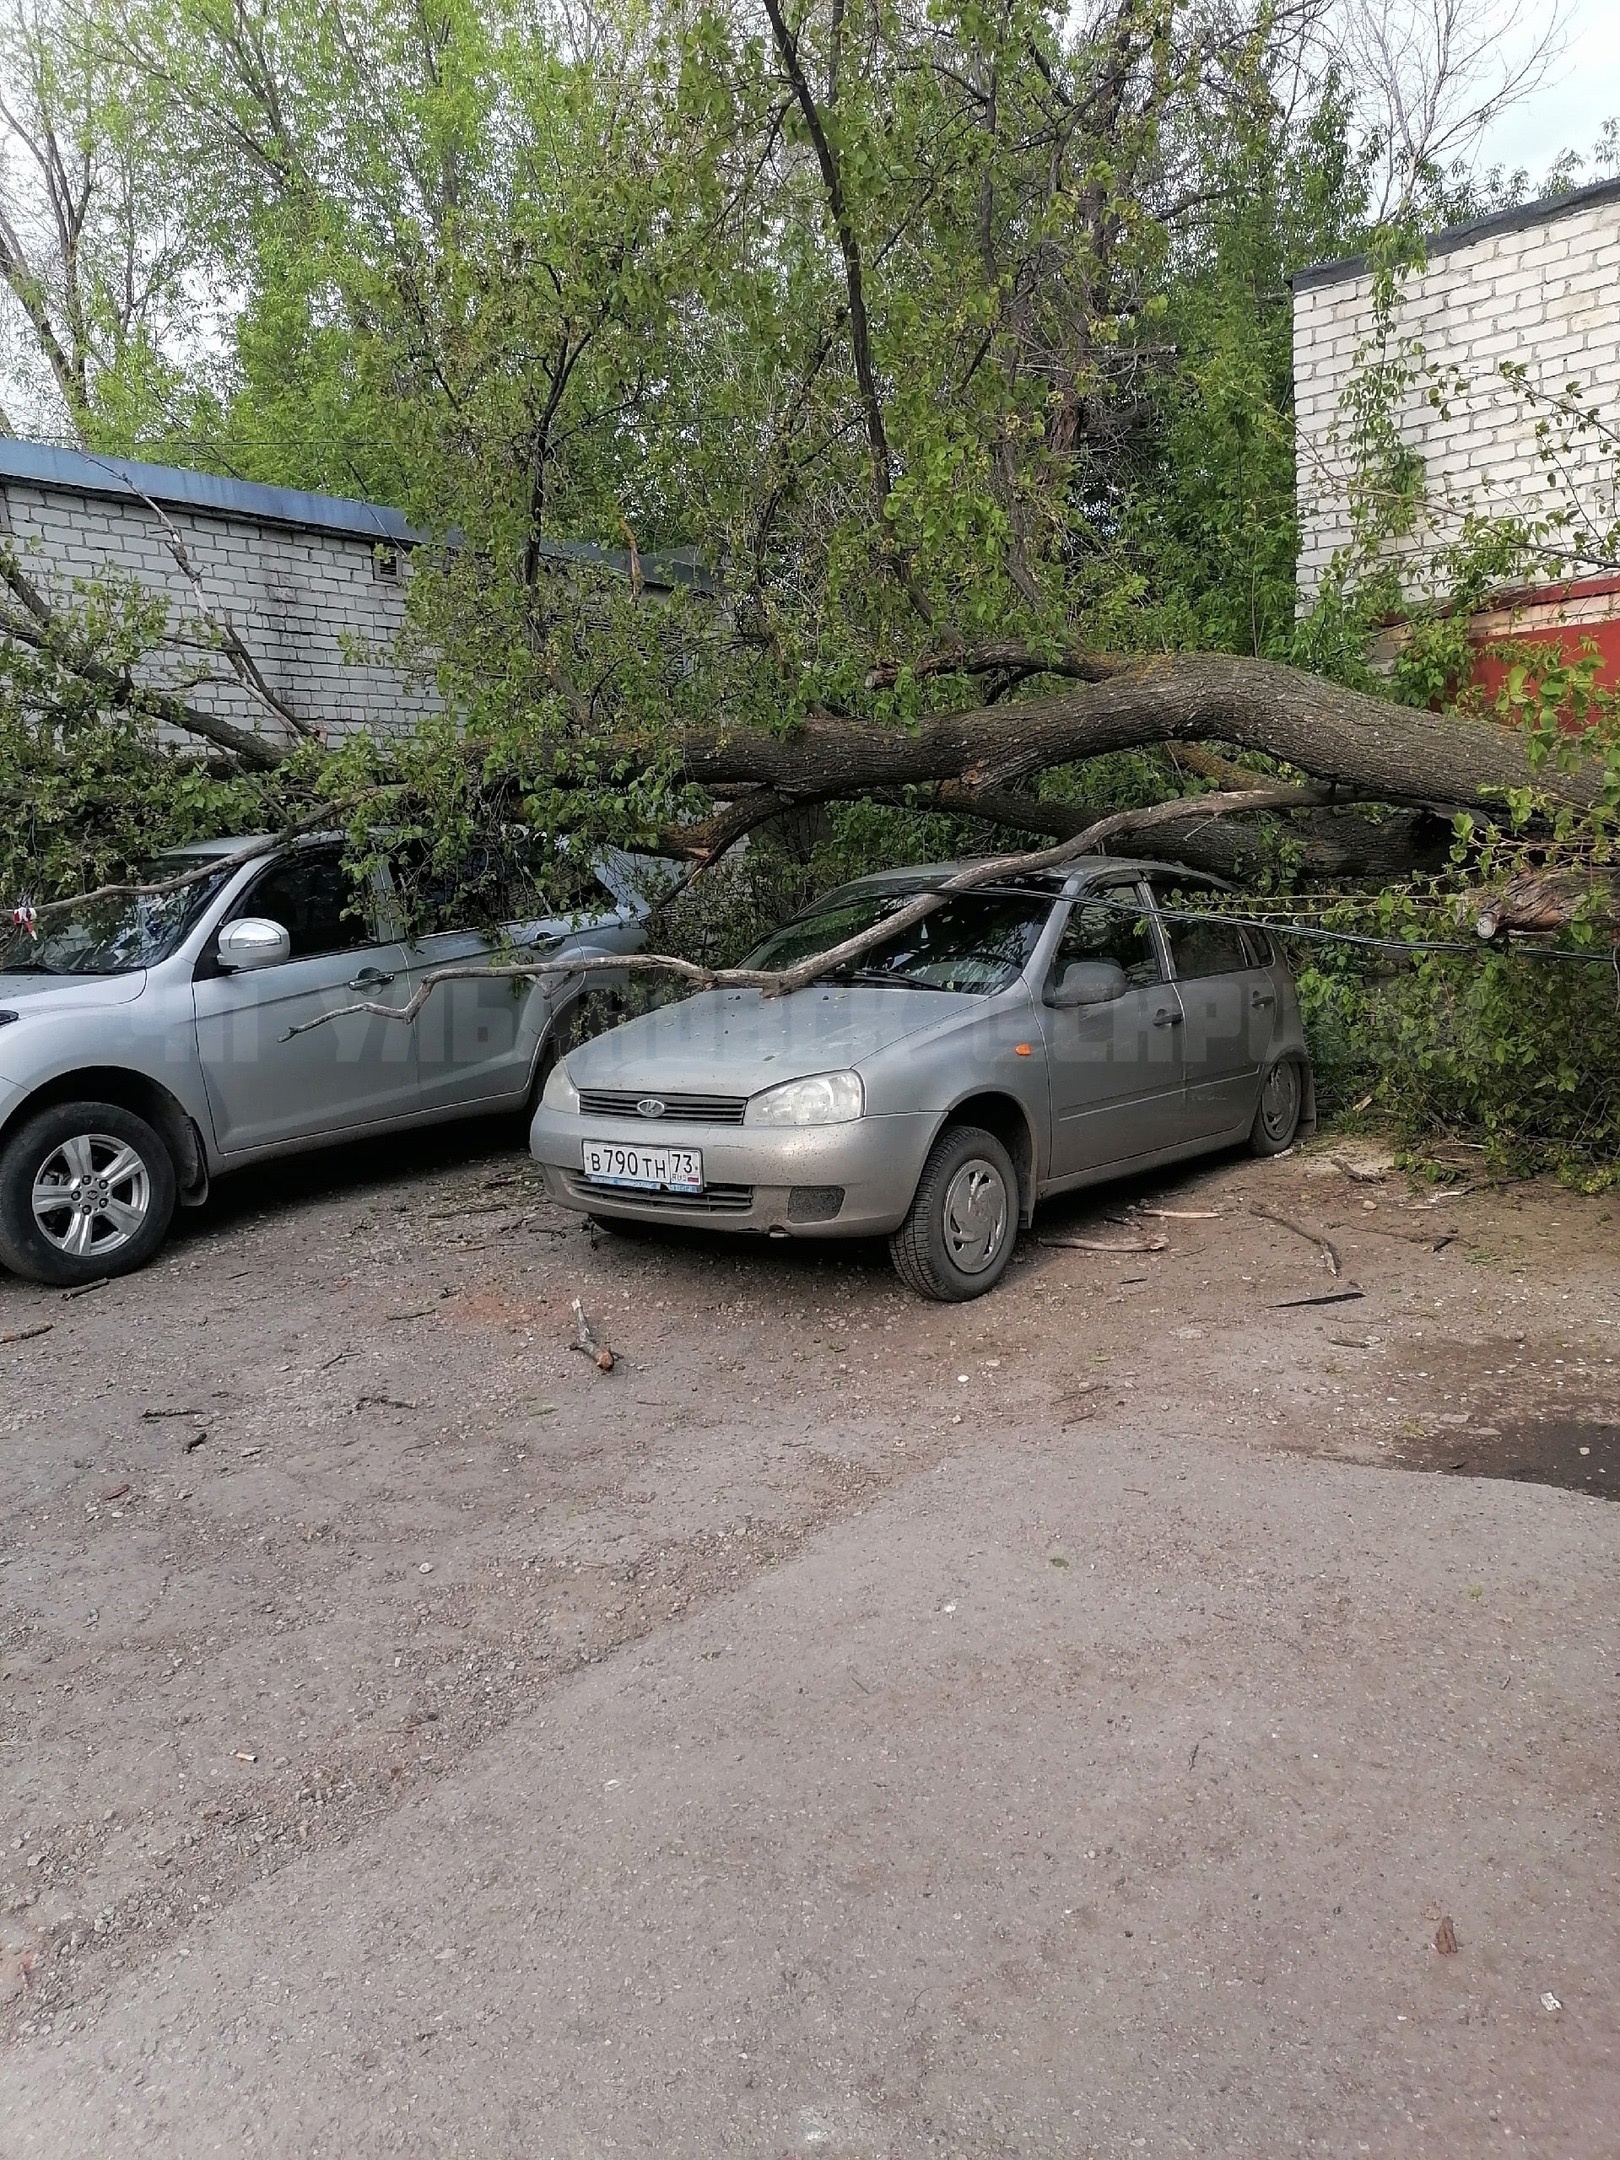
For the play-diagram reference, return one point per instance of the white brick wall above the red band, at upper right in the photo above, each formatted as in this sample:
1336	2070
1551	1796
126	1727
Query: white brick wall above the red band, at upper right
1545	297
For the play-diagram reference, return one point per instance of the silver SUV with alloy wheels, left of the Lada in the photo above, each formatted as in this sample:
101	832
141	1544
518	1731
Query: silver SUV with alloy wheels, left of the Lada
144	1042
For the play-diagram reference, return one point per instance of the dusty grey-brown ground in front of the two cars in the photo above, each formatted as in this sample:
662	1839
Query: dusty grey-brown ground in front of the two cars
1062	1725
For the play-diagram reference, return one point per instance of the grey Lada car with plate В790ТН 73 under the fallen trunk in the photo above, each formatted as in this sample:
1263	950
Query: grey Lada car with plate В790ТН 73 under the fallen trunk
1018	1042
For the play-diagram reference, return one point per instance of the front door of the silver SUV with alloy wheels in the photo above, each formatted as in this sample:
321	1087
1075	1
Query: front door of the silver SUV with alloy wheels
267	1090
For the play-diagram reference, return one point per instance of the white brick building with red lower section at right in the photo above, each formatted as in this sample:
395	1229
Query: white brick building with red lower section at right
1537	288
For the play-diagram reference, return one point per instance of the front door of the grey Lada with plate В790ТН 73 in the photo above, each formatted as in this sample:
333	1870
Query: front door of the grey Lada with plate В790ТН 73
1116	1070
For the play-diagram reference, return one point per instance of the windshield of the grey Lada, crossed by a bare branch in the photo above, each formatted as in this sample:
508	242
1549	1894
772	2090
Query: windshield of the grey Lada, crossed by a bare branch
977	941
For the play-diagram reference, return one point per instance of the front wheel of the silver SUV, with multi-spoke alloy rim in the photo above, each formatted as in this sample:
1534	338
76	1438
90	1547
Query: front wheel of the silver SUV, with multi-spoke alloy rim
109	1228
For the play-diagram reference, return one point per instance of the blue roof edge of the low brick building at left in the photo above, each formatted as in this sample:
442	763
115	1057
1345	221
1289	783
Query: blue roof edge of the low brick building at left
217	496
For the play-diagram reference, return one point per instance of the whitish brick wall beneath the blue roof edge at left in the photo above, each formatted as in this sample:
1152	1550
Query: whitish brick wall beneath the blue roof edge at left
297	599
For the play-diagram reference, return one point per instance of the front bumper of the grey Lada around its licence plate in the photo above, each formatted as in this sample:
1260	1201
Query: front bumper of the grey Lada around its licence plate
785	1180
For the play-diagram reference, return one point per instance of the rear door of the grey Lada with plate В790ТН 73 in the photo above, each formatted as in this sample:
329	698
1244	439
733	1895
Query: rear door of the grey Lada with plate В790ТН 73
1228	1005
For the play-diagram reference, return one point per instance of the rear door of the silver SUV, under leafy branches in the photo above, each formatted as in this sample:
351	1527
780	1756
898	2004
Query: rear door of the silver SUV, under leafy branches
478	1040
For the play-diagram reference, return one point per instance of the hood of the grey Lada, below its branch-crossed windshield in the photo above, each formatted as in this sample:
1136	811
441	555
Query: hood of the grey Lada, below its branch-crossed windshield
738	1042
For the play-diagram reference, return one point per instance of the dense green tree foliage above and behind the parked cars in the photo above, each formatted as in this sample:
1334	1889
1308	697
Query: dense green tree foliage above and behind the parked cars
951	338
